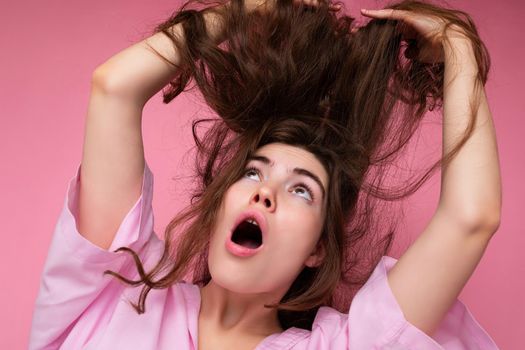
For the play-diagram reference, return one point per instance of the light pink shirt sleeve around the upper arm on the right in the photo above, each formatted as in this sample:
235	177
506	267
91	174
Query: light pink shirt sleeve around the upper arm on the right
375	321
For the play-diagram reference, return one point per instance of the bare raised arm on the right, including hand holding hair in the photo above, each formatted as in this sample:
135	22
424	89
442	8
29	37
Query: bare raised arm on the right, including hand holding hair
430	275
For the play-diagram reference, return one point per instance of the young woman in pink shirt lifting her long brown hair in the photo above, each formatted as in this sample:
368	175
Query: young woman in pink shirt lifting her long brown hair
281	235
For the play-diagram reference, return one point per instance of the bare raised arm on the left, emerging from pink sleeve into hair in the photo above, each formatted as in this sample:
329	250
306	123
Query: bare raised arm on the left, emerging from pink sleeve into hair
113	152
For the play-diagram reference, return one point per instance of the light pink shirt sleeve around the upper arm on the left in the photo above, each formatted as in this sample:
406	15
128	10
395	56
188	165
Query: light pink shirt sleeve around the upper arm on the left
72	277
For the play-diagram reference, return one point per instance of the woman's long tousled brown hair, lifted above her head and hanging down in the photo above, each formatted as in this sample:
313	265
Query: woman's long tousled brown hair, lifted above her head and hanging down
301	76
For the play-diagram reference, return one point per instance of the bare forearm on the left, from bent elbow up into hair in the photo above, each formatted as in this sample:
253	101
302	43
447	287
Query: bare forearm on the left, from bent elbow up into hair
137	72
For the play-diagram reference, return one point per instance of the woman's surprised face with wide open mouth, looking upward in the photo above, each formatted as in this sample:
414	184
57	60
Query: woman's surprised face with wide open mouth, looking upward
283	191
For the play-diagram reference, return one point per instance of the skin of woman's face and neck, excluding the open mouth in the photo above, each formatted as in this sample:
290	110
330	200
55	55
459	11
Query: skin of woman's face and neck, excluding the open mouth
232	303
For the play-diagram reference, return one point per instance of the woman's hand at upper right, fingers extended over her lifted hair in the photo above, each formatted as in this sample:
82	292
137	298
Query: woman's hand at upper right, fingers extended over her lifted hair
426	30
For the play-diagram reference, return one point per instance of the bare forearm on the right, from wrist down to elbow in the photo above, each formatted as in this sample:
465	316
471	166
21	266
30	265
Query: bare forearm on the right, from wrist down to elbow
470	184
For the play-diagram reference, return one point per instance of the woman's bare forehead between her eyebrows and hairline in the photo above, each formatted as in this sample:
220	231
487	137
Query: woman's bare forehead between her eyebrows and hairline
293	157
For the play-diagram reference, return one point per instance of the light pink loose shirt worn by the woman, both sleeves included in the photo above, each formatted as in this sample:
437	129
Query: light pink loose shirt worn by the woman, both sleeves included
80	308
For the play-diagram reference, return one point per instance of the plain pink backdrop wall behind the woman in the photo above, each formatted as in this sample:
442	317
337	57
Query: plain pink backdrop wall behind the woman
48	52
